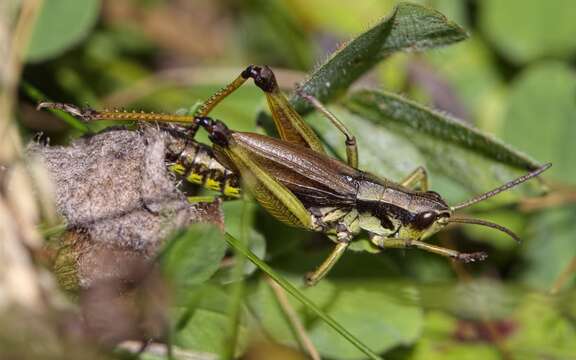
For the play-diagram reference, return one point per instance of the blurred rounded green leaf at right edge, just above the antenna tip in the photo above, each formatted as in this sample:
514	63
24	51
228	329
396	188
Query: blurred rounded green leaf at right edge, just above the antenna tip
541	116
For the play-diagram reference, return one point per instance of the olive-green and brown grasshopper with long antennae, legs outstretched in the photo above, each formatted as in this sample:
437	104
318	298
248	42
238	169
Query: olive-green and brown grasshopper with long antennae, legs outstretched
299	184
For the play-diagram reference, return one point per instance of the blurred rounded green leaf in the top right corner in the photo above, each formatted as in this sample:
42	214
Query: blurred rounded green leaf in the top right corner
525	30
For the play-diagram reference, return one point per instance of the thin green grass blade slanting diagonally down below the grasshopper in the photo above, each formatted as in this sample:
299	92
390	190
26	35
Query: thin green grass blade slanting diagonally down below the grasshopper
240	248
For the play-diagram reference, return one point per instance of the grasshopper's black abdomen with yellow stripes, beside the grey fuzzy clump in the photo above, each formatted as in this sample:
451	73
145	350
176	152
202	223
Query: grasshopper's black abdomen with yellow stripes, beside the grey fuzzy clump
196	163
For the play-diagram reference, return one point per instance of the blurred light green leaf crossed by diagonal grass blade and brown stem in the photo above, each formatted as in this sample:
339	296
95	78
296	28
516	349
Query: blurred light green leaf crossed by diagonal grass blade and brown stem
381	321
